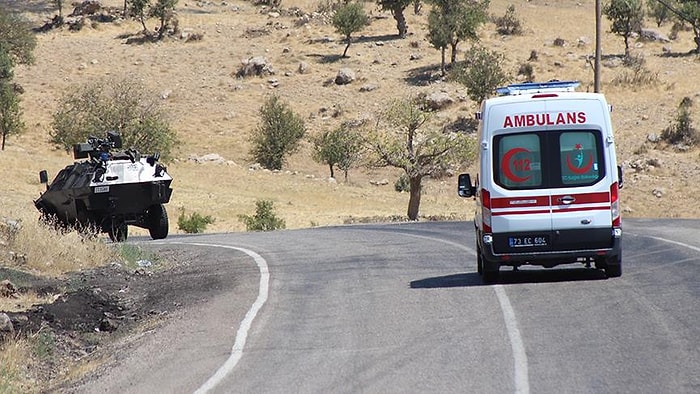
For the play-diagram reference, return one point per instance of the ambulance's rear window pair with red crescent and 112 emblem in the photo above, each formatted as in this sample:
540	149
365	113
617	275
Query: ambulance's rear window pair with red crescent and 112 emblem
548	159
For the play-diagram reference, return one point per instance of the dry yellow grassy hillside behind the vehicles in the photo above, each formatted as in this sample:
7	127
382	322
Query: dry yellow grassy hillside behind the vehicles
214	112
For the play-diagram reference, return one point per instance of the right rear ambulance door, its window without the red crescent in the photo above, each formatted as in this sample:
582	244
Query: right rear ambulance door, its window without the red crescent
582	175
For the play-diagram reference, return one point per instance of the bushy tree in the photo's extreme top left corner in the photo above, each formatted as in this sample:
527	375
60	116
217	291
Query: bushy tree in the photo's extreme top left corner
16	37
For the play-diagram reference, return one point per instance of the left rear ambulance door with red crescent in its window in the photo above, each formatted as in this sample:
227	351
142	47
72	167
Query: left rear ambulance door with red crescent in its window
521	212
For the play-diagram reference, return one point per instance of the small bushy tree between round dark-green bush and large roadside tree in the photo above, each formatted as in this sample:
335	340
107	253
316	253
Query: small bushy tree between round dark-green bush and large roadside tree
340	147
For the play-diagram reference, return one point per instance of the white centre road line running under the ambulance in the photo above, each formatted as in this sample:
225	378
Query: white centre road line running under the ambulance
520	368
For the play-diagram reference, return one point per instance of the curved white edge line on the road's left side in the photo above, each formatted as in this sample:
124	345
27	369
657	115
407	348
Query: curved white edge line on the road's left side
242	334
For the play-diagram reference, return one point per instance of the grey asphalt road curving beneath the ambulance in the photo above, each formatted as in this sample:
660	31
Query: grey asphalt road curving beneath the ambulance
399	308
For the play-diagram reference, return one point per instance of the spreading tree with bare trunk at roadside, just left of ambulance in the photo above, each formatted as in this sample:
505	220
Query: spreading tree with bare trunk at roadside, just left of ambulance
405	138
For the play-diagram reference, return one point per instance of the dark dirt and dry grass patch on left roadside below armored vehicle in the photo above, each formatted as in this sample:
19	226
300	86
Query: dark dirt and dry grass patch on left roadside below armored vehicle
94	309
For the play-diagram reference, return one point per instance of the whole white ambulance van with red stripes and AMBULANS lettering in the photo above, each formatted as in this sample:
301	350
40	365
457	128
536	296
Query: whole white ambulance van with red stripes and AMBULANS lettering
548	187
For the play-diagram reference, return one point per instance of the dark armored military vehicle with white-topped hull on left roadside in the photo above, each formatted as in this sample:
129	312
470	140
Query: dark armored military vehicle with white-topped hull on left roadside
109	191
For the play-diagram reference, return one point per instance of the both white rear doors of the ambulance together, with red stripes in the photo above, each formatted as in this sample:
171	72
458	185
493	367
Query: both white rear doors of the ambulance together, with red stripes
548	189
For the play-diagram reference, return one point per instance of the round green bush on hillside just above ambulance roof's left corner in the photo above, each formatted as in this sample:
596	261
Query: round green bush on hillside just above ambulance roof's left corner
481	73
